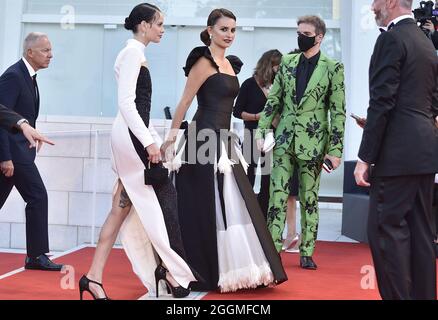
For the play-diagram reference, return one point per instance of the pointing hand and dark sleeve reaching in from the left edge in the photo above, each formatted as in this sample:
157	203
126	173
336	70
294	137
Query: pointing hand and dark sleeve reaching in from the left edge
15	123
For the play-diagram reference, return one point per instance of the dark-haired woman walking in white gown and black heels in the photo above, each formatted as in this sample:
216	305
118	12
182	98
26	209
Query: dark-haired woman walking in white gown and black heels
146	216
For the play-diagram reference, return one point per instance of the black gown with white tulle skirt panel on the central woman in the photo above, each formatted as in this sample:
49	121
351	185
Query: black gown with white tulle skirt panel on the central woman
224	233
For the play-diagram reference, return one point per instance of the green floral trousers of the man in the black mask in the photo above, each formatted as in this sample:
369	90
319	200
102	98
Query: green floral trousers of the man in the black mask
309	173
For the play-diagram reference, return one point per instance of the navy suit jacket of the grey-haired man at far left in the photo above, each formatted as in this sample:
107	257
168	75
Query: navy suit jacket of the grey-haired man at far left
17	92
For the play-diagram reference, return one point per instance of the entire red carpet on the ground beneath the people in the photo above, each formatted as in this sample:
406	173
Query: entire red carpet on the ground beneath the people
338	277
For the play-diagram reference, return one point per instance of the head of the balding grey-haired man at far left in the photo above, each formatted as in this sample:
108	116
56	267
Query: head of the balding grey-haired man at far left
37	50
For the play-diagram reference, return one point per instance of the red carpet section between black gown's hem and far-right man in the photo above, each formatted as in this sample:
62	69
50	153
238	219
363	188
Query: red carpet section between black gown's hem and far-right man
338	277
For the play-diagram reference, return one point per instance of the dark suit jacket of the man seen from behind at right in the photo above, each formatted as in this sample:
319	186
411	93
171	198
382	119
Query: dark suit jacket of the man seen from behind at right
400	137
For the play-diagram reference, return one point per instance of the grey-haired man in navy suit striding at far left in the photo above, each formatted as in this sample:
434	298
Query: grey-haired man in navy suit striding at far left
19	92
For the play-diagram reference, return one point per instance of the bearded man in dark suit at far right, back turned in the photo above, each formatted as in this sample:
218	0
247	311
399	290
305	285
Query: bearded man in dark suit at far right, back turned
400	144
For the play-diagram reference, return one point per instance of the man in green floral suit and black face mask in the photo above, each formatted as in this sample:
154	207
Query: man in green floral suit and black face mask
309	96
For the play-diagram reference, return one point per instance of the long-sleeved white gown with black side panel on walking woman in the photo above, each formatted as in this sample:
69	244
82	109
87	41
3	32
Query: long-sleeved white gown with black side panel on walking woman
151	227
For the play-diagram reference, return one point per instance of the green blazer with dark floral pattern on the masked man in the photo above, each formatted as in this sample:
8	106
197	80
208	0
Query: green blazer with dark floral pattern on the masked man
316	125
